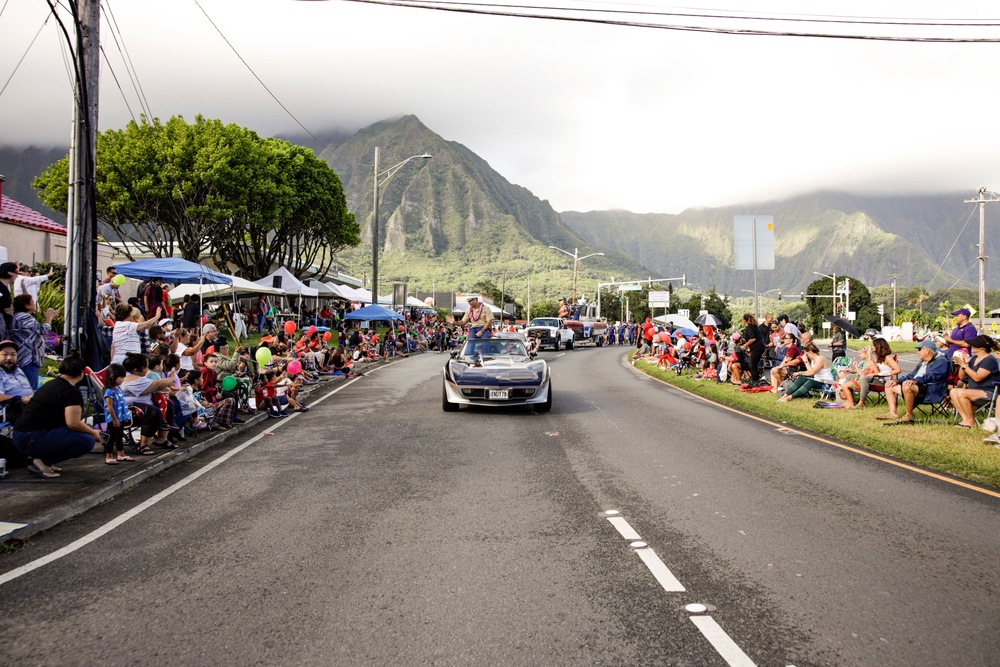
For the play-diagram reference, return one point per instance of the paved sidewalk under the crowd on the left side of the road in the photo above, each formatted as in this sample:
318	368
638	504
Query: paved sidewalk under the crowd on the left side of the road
30	504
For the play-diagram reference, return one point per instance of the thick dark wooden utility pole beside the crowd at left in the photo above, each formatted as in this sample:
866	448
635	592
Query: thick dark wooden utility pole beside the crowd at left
81	250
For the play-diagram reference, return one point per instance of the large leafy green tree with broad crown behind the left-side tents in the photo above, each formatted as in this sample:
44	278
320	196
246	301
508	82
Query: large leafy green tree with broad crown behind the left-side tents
213	188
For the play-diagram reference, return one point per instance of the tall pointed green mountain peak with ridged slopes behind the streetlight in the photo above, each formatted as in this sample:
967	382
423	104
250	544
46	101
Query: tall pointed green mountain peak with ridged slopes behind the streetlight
451	221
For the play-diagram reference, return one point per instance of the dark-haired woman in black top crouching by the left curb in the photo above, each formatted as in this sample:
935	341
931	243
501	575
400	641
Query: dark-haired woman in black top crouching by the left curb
51	429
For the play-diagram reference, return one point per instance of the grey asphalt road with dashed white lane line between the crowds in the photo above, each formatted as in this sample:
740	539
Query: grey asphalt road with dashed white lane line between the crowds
378	530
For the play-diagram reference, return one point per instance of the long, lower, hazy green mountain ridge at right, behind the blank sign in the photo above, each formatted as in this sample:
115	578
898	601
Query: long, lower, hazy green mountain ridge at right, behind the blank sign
925	240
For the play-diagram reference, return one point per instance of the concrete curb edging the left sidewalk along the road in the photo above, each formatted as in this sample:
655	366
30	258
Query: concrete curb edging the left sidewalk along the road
113	489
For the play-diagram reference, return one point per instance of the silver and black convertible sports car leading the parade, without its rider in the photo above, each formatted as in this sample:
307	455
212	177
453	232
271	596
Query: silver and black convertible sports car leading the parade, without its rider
496	372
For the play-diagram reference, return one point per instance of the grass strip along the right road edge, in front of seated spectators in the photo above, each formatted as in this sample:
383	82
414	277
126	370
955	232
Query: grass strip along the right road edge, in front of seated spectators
937	446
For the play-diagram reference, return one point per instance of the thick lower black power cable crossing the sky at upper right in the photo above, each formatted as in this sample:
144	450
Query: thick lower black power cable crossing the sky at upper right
480	10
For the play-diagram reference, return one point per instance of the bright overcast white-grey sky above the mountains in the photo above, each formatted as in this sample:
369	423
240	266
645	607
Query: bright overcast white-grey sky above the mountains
585	116
